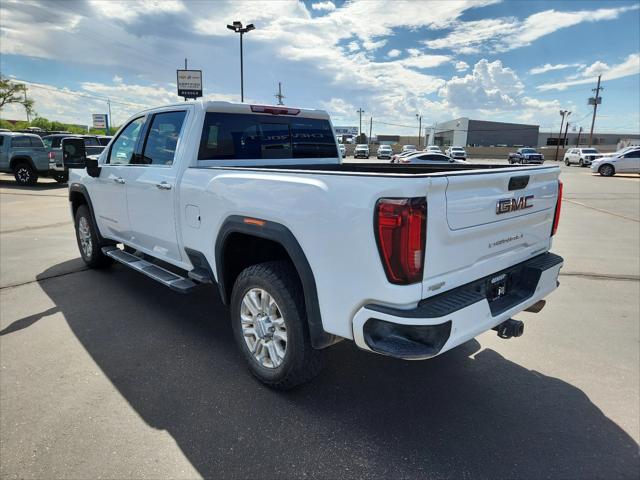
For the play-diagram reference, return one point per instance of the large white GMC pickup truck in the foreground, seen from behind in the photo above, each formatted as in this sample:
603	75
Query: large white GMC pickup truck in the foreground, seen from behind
406	260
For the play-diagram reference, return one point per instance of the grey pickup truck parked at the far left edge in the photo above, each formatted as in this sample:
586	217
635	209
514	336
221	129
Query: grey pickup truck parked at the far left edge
24	155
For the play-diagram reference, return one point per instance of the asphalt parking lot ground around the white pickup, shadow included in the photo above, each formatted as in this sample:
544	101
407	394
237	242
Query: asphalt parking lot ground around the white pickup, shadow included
106	374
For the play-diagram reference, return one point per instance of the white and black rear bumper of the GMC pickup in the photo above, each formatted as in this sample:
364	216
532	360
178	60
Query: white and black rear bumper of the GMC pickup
444	321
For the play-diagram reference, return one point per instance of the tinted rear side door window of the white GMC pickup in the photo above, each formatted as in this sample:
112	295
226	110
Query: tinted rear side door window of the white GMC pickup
160	147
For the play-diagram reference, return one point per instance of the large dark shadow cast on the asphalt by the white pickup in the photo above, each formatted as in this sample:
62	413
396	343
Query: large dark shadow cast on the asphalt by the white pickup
469	413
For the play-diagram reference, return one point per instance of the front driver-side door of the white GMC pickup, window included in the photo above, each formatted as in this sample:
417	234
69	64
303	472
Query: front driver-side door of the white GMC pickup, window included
108	191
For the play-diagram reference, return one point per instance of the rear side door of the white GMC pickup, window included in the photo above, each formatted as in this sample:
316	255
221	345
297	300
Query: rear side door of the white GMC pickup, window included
151	187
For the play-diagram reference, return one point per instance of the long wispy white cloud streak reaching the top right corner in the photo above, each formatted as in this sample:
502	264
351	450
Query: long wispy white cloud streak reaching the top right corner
508	33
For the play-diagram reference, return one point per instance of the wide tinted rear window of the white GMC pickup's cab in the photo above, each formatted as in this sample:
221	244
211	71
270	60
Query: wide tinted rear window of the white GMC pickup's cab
237	136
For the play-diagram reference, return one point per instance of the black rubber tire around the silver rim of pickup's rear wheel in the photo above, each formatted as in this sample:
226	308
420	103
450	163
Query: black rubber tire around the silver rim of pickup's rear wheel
301	361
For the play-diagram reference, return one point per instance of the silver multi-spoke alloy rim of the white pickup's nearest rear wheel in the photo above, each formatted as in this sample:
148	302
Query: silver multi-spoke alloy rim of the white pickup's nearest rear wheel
263	328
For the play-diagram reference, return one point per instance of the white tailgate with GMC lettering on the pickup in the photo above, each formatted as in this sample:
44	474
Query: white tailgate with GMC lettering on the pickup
483	222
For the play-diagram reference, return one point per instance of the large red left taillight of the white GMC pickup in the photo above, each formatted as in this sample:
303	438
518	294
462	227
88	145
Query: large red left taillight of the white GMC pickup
400	226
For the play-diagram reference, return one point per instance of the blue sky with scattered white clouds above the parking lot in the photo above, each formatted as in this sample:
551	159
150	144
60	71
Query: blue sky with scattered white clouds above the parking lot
486	59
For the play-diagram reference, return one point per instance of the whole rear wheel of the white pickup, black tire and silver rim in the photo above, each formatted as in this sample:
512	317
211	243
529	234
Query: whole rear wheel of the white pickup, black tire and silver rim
270	325
